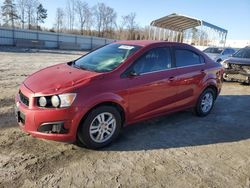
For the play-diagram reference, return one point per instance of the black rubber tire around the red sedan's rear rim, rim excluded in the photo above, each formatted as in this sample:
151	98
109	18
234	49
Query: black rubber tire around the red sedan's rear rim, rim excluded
198	108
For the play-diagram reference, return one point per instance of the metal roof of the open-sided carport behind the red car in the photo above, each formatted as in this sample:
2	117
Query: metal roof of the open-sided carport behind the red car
180	23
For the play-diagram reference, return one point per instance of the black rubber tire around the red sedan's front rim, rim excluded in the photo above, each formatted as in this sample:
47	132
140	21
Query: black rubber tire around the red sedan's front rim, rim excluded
83	134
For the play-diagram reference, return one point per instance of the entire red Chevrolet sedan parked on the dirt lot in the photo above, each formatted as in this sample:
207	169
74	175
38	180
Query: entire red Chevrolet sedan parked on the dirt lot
90	99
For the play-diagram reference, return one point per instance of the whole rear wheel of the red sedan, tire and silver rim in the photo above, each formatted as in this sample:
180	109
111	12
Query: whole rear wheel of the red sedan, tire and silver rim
203	106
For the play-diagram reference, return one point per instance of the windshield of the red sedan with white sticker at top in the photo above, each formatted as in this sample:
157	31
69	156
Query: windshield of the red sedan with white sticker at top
107	58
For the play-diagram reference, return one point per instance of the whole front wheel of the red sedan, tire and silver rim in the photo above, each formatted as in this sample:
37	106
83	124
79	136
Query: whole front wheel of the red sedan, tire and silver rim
101	126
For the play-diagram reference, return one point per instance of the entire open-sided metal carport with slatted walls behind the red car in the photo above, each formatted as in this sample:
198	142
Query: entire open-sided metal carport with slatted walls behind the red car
180	28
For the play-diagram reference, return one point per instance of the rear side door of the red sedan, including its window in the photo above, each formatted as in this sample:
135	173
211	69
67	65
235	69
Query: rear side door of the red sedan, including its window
191	72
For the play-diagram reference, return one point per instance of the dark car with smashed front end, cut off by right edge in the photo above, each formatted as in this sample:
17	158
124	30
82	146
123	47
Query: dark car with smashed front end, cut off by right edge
237	67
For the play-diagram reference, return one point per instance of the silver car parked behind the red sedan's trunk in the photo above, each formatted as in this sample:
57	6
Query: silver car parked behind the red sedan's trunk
219	54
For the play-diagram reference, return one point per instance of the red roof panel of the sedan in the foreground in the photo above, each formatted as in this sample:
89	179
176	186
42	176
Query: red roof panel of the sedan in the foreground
146	42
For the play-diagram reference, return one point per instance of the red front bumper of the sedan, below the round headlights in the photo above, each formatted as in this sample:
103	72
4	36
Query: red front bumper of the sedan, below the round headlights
37	121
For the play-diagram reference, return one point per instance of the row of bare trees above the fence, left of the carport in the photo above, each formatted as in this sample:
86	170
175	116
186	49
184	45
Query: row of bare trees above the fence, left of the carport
77	17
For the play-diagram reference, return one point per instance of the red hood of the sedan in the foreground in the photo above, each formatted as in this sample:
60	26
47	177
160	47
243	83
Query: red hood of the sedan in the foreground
57	78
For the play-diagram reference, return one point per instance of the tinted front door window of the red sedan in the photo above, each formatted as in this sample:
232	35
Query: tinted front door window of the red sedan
154	60
